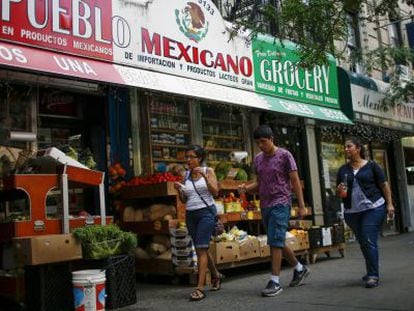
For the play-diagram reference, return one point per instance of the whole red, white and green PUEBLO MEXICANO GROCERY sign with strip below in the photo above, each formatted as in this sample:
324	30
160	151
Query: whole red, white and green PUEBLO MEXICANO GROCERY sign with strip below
181	38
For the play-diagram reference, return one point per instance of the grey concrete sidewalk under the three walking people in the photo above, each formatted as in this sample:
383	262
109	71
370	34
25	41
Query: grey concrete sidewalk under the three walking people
334	284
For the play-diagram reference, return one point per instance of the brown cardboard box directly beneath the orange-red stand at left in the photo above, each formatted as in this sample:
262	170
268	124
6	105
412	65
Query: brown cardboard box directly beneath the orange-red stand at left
36	250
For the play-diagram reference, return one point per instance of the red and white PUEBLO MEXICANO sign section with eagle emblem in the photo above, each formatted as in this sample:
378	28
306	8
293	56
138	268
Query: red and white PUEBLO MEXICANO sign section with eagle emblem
184	38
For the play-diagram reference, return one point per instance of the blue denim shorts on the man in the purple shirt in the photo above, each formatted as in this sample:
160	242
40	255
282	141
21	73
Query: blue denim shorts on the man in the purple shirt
275	221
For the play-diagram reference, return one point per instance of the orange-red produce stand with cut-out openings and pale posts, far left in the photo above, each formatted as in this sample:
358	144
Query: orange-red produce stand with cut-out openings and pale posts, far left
37	187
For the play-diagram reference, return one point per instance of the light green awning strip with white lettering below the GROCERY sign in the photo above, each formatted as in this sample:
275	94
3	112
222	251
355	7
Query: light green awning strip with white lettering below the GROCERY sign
305	110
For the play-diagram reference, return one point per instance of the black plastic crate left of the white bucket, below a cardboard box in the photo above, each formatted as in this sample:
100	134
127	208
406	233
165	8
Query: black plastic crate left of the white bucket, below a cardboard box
49	287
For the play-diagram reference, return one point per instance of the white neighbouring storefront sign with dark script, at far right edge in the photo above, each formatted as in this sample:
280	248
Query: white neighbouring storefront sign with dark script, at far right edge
369	106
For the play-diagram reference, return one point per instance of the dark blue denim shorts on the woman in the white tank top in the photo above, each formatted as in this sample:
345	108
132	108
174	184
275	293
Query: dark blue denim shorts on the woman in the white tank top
201	224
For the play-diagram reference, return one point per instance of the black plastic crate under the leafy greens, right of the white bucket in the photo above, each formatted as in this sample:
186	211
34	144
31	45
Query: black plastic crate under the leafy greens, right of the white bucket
120	280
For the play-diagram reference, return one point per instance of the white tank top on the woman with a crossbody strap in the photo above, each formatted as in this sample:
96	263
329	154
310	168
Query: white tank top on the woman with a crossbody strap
194	202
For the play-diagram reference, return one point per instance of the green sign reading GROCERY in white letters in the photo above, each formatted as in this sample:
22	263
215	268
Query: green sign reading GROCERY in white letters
277	74
